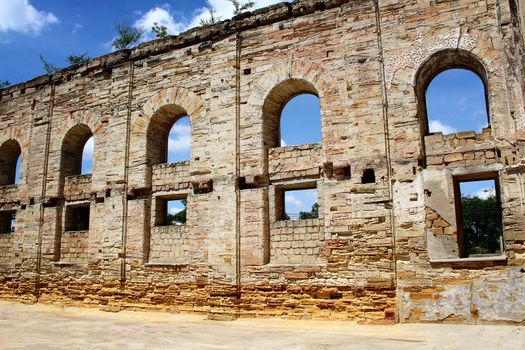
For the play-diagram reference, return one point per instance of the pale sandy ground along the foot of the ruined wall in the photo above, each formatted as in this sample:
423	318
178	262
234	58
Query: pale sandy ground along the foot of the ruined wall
48	327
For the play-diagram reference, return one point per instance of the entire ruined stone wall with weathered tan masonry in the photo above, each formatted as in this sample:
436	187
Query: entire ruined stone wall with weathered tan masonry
379	252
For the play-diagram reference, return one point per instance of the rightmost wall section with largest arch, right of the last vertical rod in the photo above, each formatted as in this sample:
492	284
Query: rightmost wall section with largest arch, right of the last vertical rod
432	283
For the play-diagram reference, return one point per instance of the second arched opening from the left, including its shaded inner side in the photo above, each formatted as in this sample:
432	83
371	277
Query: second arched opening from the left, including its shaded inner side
78	146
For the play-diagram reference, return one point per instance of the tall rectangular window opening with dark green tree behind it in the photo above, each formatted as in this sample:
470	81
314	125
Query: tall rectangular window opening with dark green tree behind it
478	212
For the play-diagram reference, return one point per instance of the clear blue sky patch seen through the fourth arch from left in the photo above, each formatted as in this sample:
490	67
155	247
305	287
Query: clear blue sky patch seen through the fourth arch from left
301	121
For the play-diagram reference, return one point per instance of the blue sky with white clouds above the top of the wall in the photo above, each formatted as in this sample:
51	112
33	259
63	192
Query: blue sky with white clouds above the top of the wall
59	28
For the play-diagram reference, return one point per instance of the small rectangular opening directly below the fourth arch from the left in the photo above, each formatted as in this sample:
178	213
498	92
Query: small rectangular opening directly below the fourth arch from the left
300	204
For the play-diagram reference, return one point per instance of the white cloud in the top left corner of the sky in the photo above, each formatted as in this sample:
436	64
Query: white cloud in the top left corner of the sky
21	16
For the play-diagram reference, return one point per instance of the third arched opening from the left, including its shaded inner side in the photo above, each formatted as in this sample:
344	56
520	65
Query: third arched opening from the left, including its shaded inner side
169	136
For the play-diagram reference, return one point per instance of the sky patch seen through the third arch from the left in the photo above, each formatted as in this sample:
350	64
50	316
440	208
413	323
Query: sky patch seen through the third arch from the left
179	140
